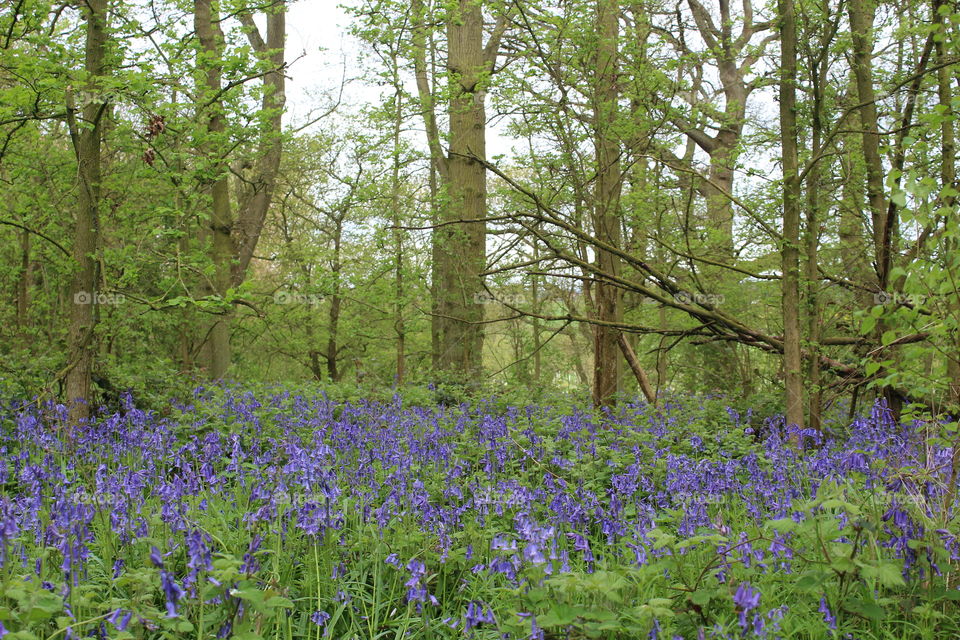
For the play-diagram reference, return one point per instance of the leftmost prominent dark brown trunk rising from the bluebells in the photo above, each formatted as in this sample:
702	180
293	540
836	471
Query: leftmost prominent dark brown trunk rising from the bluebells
86	240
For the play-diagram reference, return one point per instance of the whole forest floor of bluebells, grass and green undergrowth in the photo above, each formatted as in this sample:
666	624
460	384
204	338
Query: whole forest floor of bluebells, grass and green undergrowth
243	514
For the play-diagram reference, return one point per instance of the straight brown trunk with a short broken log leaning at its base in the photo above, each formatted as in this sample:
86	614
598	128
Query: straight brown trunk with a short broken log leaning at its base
607	203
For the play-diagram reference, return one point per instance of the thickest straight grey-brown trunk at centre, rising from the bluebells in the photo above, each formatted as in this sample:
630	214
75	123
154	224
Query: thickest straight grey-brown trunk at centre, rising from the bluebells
462	245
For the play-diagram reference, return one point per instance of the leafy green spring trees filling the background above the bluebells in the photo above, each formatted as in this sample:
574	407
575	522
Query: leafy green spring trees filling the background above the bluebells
753	199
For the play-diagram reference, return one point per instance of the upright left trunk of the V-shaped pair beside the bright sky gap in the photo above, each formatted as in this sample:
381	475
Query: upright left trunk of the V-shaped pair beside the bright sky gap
220	221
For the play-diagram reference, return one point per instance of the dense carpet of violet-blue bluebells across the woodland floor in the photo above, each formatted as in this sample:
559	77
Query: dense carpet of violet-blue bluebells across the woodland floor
294	464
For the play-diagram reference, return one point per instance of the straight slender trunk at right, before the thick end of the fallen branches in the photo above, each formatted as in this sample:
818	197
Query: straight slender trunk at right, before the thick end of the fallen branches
792	363
